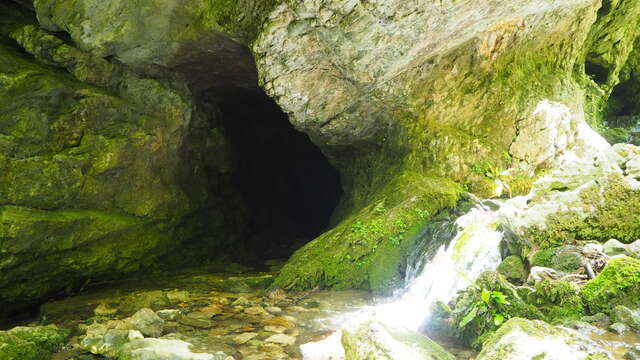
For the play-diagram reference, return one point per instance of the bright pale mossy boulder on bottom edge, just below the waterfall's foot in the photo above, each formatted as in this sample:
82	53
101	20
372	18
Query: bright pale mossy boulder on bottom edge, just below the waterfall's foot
373	340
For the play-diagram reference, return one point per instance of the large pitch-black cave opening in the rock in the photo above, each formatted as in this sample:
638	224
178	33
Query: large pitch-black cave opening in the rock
287	185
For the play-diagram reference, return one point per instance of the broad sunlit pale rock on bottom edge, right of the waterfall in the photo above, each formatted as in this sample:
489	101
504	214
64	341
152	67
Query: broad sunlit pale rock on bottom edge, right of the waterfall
521	339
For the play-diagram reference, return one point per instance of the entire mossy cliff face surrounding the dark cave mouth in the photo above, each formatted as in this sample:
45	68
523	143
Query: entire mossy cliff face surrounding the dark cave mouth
117	144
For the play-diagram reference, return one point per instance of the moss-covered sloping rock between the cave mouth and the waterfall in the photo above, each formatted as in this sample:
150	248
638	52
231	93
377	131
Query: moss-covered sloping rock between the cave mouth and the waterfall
367	250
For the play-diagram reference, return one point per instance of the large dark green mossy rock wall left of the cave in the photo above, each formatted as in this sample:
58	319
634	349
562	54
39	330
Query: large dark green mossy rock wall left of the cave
95	178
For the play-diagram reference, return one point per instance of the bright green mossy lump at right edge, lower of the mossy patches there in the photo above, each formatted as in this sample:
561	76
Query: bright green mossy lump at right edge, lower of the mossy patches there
617	284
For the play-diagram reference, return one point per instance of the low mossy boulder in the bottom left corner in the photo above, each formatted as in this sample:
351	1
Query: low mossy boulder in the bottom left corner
31	343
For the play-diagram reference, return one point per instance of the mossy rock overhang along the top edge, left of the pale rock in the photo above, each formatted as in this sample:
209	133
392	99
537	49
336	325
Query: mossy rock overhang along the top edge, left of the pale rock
154	31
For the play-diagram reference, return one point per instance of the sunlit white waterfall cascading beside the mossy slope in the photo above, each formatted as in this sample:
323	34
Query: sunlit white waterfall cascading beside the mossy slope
474	249
